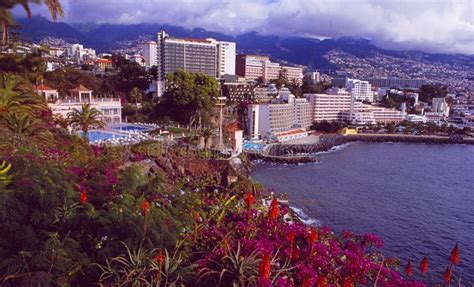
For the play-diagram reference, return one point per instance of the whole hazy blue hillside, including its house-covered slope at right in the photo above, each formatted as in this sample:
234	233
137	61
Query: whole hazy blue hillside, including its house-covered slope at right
337	57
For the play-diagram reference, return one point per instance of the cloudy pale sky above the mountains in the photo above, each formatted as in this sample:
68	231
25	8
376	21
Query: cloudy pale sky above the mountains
438	26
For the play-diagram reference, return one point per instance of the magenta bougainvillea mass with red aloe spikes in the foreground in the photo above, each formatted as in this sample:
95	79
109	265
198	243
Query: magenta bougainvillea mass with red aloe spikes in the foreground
292	254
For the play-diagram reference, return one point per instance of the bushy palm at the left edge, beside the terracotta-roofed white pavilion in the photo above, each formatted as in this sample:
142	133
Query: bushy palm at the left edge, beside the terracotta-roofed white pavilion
16	95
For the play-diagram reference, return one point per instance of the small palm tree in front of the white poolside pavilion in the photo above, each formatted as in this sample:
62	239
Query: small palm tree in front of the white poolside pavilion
85	117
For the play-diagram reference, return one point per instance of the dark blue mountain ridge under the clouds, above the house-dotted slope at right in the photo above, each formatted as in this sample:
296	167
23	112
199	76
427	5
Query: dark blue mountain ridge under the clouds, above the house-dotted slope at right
310	52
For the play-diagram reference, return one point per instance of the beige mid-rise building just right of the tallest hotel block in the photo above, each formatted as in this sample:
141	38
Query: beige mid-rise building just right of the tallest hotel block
253	67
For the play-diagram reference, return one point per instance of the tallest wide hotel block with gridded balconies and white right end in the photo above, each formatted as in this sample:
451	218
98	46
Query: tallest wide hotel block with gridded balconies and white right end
207	56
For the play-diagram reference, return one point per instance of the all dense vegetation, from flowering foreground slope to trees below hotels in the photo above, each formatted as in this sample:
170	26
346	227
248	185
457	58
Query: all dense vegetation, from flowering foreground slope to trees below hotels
75	214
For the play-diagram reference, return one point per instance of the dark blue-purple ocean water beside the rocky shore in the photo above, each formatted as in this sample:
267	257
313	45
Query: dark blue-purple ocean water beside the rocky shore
419	198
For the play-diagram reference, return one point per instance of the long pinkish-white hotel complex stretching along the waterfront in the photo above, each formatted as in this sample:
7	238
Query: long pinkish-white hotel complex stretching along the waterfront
293	116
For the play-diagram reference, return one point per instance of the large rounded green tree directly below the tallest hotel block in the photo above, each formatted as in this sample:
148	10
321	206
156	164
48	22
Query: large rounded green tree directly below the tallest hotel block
188	96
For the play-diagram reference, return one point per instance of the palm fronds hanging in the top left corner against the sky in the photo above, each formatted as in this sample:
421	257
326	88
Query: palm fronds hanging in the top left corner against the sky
6	17
